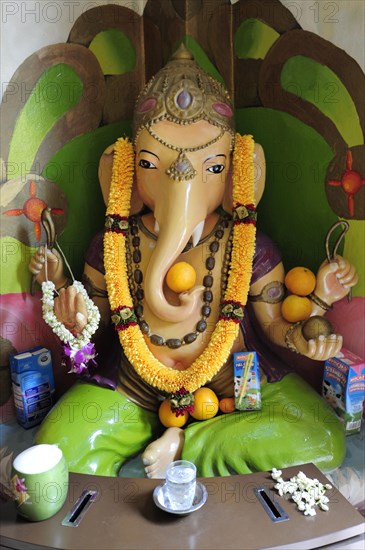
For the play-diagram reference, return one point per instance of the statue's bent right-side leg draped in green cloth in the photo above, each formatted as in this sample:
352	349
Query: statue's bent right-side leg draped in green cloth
218	447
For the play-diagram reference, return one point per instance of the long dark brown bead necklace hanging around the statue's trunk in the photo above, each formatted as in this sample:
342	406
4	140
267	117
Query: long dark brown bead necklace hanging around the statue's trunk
136	286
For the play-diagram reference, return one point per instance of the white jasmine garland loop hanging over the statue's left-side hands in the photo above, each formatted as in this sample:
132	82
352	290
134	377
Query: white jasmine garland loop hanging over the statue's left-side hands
75	343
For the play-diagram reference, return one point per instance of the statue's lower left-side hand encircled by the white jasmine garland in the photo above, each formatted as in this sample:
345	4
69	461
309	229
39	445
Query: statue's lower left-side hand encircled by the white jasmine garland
70	309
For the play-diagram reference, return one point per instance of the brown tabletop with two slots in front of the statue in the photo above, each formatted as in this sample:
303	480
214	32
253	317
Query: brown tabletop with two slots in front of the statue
124	516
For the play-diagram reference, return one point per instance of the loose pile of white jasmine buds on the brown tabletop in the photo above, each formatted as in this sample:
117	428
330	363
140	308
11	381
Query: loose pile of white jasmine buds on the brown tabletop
304	491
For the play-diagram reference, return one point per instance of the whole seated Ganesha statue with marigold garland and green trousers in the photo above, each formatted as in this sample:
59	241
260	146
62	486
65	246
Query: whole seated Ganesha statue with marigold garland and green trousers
186	190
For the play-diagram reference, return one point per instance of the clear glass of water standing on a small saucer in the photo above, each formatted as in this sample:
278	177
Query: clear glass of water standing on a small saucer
180	485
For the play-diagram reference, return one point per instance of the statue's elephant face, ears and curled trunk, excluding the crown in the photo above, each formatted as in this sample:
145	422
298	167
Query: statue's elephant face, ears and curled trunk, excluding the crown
180	208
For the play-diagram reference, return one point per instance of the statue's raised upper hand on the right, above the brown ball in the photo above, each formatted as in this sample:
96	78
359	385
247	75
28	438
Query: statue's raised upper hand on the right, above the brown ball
335	279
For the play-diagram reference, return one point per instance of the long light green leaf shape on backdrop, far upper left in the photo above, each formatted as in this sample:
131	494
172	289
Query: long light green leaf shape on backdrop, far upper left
58	89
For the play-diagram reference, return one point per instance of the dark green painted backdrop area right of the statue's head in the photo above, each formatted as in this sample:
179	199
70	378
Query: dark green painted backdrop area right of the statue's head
294	210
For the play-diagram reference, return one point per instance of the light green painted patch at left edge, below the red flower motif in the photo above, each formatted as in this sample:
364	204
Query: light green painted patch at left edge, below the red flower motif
15	257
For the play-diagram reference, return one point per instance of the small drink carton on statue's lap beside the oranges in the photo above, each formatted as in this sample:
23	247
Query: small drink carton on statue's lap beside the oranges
247	388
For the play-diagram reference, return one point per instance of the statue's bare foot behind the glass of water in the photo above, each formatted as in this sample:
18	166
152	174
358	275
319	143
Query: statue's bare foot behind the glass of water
158	455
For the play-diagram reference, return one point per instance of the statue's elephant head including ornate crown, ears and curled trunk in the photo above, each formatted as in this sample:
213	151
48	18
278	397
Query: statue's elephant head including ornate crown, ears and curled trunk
183	137
